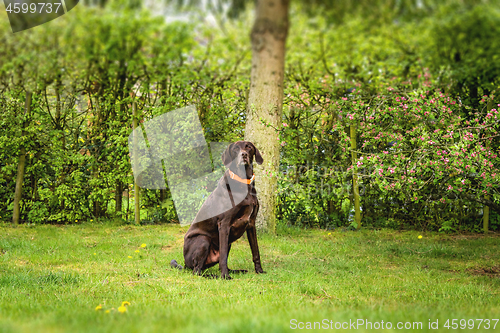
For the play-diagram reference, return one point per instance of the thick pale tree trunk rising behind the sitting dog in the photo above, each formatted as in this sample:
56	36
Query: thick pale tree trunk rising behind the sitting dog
265	100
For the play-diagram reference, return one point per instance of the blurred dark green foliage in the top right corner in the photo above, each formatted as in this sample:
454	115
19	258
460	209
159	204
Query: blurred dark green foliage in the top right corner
463	49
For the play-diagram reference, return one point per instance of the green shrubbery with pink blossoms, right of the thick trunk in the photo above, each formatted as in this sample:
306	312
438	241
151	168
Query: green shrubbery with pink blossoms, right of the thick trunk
416	156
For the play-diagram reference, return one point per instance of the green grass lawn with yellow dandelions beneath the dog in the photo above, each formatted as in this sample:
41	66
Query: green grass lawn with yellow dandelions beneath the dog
53	277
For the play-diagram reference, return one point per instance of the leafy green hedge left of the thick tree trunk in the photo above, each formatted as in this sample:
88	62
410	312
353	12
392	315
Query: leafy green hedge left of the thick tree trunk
85	72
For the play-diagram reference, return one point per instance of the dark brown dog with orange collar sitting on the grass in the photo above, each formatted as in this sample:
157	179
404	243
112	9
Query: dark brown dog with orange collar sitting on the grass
208	240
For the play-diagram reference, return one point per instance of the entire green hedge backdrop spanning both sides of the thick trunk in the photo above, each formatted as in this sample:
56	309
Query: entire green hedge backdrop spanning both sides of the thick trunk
86	72
